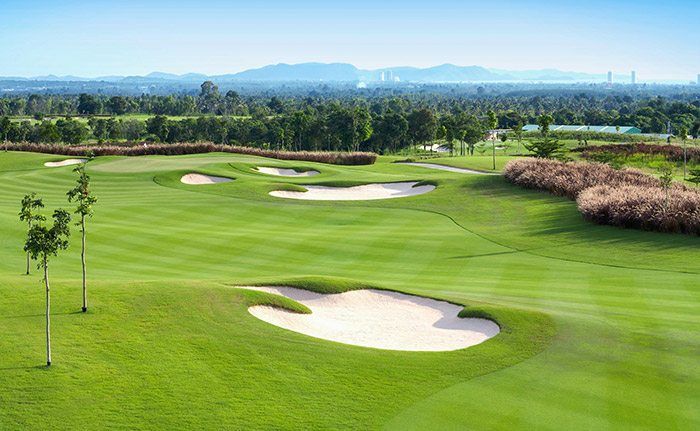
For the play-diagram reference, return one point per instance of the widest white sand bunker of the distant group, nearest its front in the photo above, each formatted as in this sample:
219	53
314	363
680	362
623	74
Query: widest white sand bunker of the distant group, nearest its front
356	193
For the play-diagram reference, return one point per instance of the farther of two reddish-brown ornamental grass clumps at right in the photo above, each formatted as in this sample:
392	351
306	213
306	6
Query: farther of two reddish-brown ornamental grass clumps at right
570	178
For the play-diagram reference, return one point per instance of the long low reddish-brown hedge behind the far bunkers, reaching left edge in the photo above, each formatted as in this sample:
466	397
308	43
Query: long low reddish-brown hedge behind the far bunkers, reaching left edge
336	158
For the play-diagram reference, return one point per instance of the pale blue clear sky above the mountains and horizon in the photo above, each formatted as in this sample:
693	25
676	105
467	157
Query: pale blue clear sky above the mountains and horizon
661	40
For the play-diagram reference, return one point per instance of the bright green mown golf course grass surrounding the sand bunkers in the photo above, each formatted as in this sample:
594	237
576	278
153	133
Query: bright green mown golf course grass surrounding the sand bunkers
600	325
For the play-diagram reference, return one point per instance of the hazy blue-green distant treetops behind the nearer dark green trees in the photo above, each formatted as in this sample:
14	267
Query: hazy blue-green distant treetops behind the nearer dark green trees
647	110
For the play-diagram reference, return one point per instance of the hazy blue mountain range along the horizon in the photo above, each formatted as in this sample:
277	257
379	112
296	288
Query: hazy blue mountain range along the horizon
343	72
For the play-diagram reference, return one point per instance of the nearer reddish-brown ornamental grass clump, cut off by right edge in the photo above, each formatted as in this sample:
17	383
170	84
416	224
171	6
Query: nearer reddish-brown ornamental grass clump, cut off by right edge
640	207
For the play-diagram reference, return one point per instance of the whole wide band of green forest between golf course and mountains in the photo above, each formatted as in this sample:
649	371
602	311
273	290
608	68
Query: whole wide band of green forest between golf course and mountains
382	120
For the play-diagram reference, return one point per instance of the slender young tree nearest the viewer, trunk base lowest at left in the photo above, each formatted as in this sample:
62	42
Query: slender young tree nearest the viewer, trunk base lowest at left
42	243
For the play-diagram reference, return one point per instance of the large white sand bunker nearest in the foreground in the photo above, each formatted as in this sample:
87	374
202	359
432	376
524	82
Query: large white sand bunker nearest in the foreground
379	319
